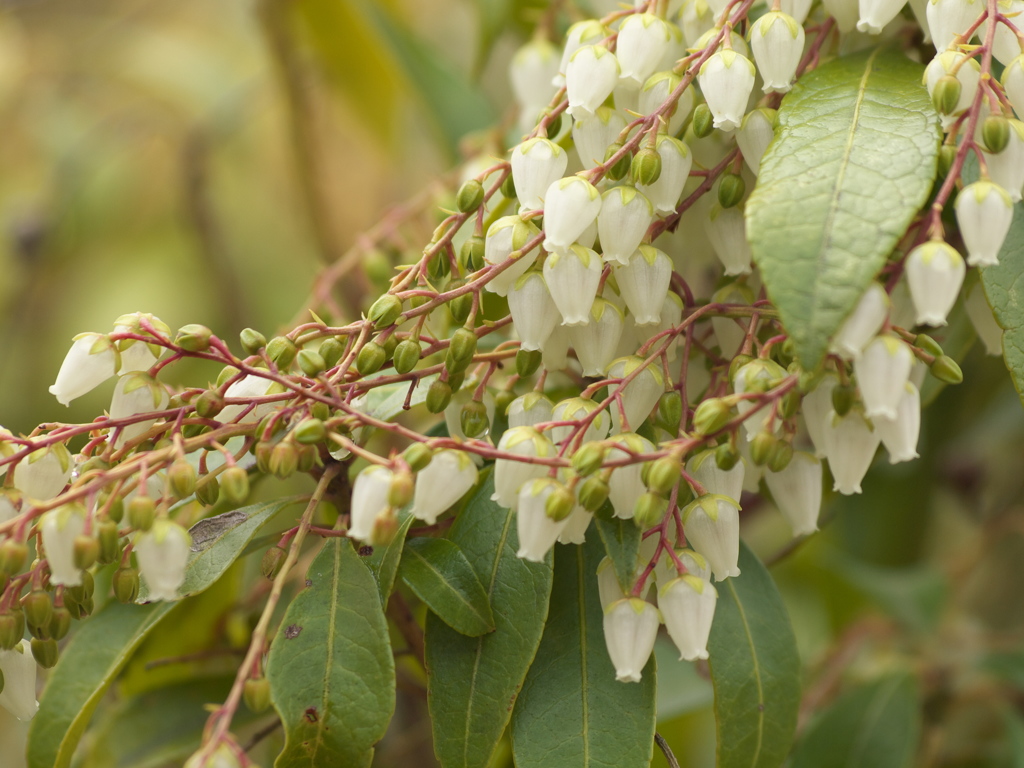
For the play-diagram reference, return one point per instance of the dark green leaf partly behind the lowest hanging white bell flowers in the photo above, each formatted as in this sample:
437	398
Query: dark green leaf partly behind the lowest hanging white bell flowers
572	712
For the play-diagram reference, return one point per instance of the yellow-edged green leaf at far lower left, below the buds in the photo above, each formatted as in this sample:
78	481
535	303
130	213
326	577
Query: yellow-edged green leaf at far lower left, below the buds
88	667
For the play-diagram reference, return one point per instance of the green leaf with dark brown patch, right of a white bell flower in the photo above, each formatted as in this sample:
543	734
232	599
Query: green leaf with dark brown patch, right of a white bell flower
221	541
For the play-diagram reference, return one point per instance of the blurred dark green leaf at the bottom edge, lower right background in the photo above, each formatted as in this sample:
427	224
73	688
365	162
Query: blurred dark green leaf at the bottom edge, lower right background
874	727
